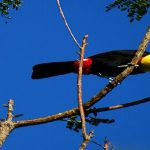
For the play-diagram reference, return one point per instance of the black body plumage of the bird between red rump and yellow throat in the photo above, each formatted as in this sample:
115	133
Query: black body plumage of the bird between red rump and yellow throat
109	63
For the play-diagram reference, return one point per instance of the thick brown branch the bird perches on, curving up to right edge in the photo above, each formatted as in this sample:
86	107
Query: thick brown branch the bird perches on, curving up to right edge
93	100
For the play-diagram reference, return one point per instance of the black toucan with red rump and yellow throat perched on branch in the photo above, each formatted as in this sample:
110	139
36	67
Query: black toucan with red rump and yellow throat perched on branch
107	64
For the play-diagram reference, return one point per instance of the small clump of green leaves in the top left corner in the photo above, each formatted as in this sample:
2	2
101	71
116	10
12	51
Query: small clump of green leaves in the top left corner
5	6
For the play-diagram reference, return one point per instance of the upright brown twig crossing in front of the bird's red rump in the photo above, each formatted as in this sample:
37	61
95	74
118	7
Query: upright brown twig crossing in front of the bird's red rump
79	87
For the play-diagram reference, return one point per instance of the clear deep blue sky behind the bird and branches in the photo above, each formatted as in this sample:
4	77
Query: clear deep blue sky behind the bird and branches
37	34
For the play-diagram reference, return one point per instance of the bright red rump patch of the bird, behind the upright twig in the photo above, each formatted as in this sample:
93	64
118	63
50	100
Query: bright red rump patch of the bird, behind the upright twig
87	63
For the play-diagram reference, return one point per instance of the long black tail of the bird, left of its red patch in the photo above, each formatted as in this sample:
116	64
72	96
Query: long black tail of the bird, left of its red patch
46	70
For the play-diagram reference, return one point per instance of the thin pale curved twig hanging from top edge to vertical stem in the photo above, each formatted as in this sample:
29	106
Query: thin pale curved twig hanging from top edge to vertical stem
66	24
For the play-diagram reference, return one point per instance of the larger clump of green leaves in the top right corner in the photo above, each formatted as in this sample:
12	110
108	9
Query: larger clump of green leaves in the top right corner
136	9
